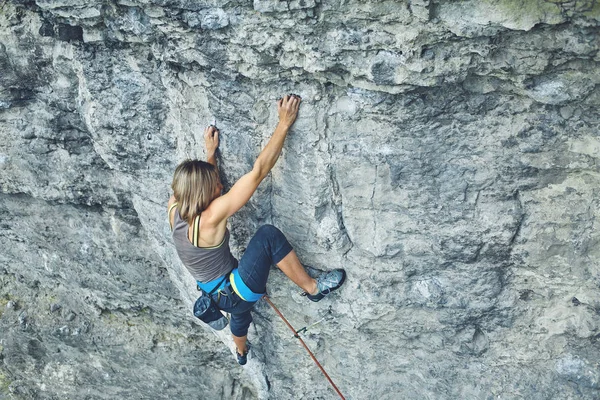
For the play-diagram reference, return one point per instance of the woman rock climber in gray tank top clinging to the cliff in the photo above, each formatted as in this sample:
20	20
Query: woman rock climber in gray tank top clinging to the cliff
198	215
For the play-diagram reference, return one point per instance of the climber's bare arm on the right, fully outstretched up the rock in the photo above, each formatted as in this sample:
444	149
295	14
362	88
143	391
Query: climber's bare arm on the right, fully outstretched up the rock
225	206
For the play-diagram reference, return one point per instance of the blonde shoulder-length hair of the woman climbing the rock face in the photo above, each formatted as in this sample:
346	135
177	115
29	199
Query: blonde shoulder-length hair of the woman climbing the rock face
194	185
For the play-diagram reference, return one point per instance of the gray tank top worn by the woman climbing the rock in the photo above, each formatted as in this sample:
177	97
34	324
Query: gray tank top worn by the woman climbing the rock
204	263
